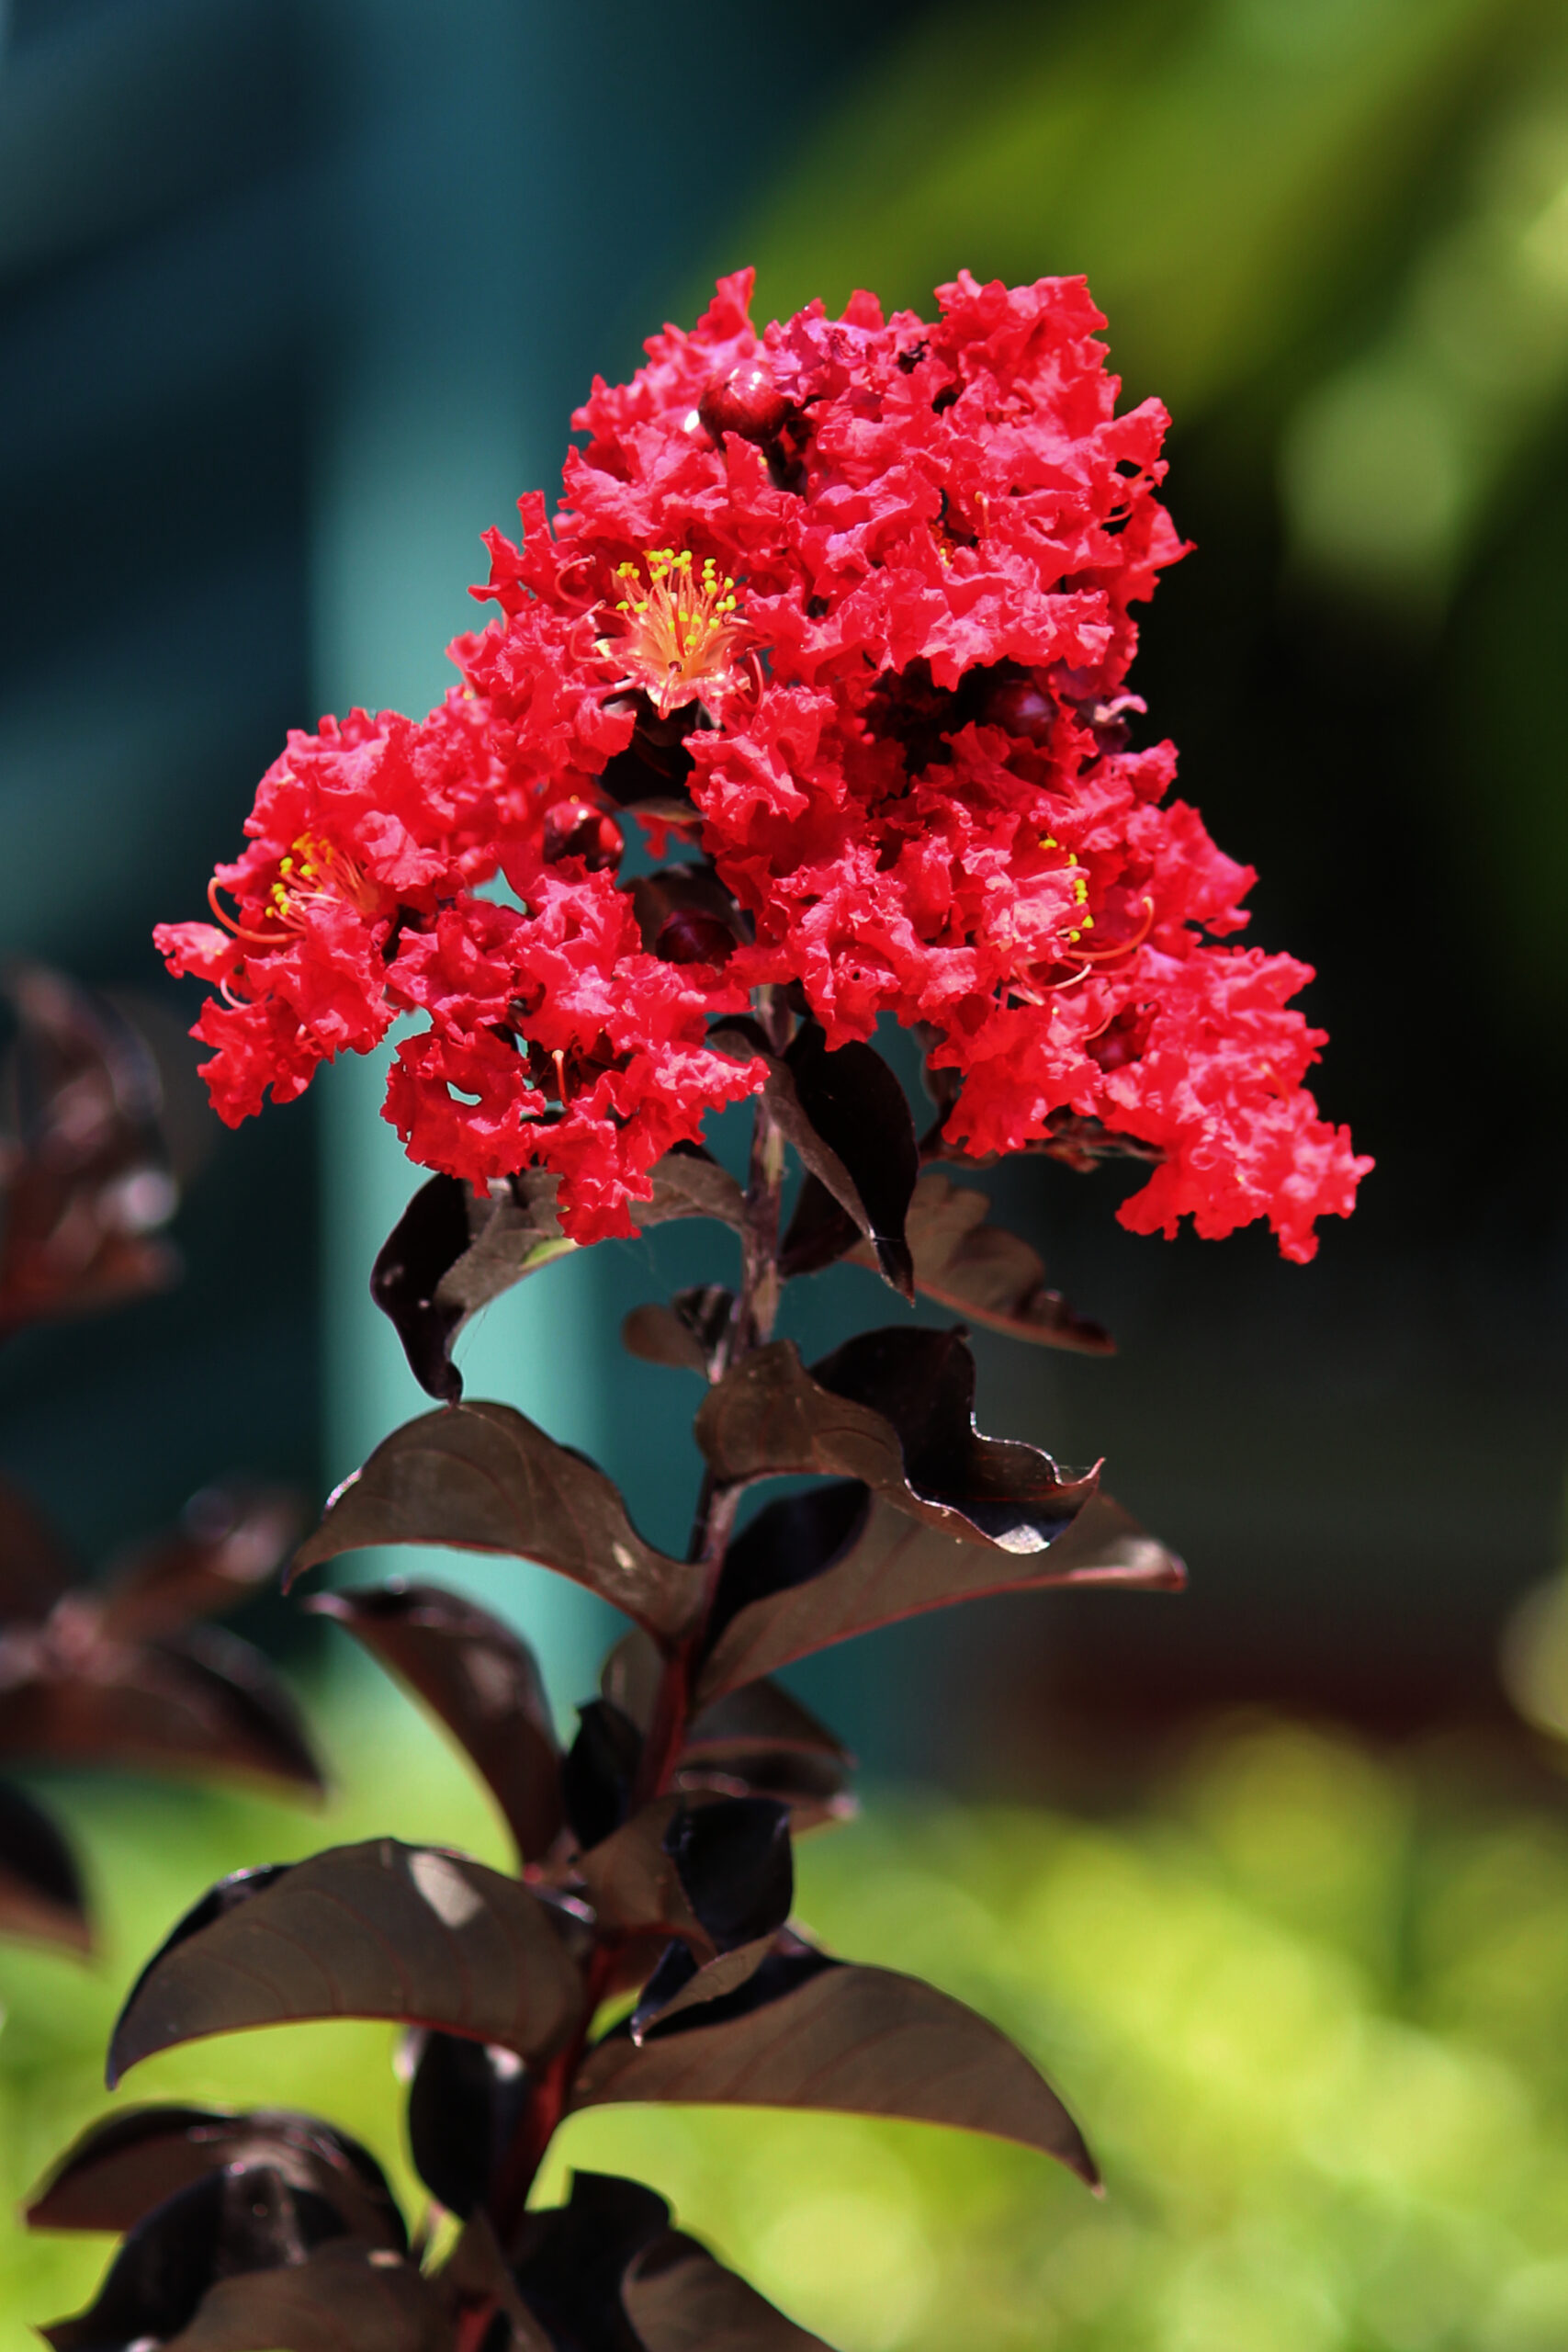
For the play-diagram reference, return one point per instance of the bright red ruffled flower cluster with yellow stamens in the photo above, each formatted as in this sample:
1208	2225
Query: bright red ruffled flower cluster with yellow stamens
843	615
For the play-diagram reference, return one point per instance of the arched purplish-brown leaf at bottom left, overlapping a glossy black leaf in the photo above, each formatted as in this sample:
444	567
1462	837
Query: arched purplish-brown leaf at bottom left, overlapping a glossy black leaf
126	2165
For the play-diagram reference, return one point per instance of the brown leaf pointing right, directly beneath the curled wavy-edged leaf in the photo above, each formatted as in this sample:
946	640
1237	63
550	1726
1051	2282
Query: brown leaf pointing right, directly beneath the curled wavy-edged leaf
878	1565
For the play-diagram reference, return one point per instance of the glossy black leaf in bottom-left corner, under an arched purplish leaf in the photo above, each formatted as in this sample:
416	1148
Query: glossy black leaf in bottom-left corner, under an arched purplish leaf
217	2229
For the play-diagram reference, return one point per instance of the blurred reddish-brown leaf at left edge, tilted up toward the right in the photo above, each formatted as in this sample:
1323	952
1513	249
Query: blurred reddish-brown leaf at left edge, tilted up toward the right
227	1546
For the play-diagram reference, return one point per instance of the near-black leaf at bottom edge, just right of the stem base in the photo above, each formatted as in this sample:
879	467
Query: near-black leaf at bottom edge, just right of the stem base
570	2261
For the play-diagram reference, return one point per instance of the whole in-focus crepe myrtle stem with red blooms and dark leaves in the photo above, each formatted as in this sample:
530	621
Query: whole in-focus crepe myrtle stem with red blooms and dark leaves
831	629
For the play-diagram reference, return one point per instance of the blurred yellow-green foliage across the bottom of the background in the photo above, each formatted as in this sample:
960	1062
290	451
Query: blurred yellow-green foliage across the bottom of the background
1311	2005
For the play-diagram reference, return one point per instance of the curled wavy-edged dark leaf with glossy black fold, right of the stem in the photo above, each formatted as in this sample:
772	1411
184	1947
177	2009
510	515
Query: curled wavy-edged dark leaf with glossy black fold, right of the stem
892	1410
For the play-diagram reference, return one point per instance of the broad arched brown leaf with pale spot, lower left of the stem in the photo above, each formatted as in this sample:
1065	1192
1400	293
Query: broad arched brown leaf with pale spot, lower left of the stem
359	1932
